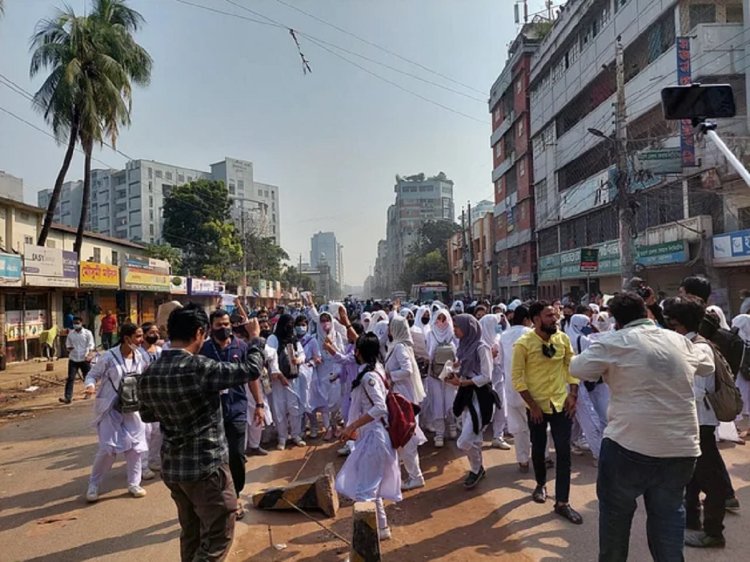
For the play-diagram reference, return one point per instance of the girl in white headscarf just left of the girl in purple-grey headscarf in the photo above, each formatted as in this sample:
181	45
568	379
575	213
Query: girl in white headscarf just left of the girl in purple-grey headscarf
441	347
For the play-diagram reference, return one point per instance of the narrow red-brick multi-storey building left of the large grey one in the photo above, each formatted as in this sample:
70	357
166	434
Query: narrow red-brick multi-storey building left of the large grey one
512	174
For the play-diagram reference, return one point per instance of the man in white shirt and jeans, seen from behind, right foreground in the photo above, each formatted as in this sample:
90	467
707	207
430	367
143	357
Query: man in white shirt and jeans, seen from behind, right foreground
651	440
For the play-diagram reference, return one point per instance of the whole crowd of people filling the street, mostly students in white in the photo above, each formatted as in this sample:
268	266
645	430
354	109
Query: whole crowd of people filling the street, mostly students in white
631	379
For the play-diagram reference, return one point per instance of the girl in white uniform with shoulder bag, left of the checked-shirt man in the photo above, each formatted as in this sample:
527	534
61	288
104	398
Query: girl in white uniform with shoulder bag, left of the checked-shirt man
118	433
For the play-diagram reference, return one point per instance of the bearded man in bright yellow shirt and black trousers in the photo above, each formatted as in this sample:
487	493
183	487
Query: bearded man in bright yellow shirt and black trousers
541	375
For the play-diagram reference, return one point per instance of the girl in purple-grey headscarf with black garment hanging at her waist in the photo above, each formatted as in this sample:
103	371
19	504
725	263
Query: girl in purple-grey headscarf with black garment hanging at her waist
475	401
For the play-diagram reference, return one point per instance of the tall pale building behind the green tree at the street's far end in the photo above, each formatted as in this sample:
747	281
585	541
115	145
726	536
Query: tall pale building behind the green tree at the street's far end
419	199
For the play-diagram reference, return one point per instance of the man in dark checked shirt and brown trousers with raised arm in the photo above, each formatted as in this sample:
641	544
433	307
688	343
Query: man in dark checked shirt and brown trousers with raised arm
180	390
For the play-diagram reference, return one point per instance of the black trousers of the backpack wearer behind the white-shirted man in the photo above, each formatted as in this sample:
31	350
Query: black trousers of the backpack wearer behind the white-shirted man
707	478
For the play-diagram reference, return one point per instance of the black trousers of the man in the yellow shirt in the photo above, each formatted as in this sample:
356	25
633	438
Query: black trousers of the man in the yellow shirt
560	426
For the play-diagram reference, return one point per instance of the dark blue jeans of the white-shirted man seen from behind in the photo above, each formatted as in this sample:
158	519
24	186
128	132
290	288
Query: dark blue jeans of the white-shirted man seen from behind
624	476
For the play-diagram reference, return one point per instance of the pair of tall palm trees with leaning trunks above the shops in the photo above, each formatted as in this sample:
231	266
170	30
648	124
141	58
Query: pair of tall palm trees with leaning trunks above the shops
87	96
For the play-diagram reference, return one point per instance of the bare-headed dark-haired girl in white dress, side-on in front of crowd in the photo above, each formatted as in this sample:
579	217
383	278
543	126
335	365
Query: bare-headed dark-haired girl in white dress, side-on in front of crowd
371	472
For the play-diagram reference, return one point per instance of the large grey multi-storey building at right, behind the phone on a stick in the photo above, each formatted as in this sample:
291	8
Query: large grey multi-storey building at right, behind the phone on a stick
573	85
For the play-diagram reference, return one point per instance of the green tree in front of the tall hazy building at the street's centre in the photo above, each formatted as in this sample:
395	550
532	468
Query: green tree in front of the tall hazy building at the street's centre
428	257
